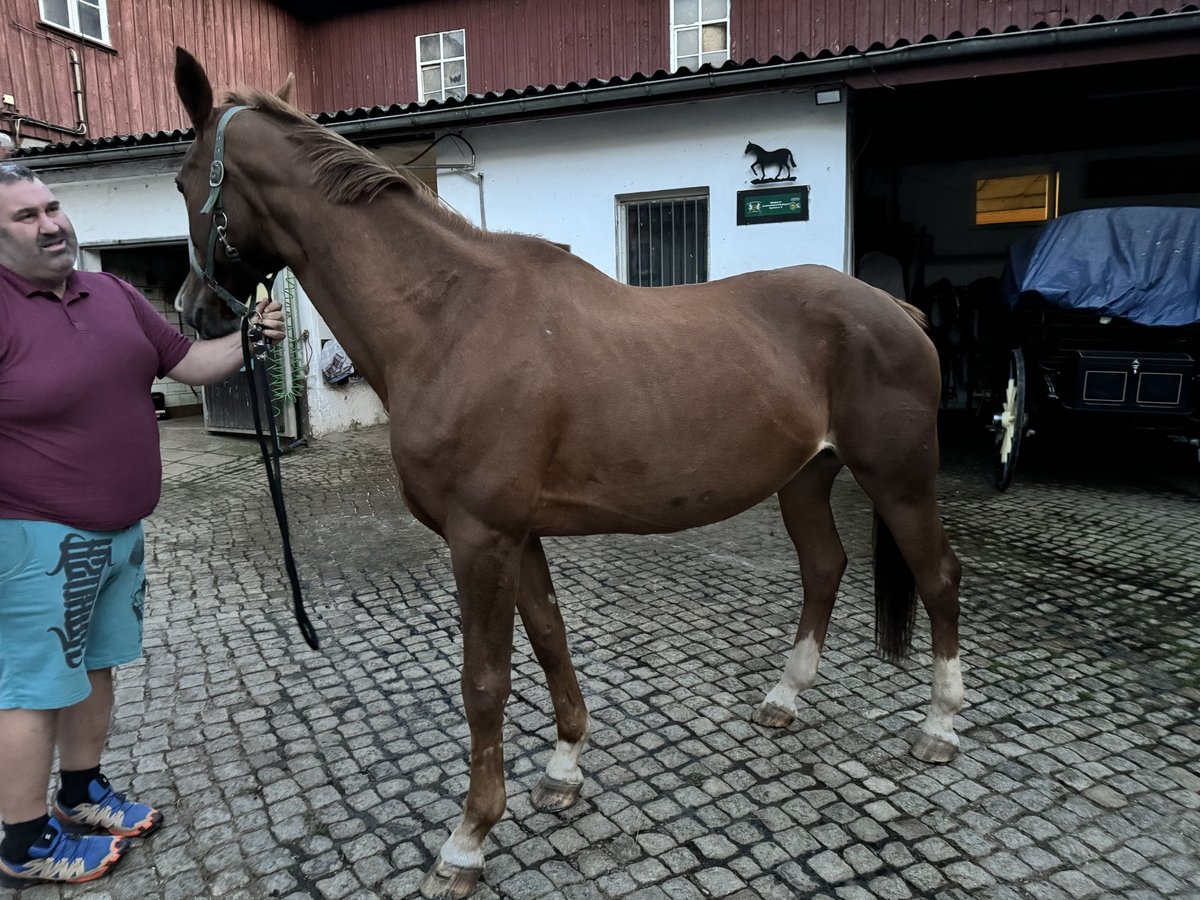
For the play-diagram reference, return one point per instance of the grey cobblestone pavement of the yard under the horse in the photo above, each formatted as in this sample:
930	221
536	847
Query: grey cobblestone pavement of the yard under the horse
291	773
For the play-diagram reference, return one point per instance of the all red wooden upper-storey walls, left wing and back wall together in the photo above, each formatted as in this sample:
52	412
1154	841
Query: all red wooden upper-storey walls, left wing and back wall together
368	58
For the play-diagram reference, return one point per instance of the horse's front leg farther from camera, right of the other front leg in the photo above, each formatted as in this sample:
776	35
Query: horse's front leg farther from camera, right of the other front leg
560	788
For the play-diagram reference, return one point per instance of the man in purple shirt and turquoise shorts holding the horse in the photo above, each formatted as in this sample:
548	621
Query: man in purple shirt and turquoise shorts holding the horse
80	470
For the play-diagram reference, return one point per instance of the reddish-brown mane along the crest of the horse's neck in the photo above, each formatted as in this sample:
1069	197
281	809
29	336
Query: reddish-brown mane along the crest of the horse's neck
343	171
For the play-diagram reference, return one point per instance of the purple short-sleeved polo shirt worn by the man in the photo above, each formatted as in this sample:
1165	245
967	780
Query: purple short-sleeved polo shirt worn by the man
79	434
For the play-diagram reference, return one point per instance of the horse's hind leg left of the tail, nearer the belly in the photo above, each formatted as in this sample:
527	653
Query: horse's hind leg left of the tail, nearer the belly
808	518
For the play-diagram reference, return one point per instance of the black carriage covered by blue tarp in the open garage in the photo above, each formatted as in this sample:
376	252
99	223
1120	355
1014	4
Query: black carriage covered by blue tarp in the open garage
1103	329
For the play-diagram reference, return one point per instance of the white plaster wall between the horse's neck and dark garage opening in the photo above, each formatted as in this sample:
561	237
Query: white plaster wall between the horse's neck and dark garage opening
560	178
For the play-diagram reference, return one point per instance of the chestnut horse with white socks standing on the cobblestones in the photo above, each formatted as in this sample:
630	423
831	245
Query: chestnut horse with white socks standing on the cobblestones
532	395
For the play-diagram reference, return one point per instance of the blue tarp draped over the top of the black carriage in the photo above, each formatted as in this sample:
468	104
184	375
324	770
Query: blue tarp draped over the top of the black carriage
1141	263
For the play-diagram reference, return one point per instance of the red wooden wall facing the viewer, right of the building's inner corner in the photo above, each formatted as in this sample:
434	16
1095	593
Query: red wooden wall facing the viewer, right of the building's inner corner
367	59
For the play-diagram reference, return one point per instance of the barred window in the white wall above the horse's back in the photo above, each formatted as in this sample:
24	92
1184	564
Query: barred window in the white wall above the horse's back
664	238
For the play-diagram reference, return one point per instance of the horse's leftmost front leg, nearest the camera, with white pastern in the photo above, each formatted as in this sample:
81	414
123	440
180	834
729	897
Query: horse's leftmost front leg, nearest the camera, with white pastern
487	569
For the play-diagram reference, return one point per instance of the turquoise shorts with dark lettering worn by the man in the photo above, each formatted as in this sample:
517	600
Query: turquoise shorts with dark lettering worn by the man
70	603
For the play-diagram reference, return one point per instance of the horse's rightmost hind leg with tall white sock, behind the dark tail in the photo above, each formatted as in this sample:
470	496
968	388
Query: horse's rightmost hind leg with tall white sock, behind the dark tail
902	483
